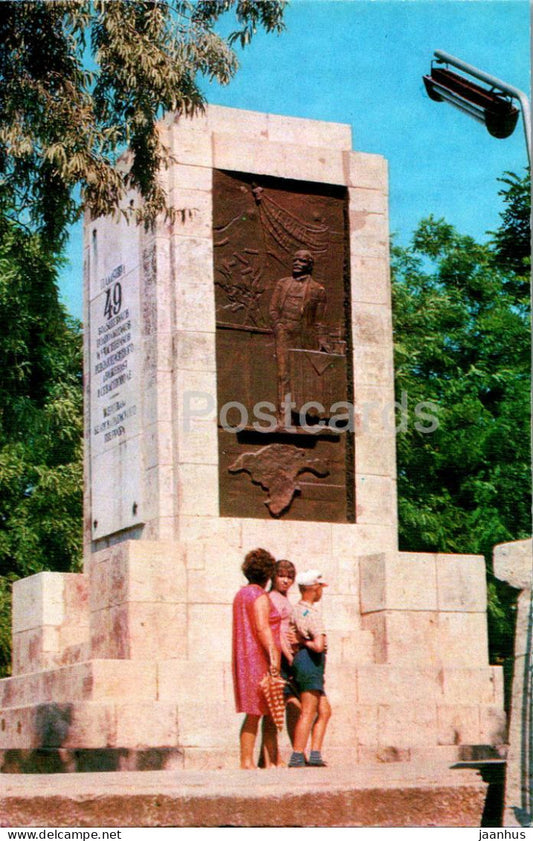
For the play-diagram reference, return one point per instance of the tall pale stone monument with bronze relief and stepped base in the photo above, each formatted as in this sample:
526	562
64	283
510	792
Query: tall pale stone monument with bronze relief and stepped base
239	393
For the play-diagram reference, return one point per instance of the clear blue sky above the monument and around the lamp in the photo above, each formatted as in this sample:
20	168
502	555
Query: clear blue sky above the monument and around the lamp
361	62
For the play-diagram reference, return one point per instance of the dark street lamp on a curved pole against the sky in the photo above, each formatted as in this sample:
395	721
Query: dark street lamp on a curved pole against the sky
493	106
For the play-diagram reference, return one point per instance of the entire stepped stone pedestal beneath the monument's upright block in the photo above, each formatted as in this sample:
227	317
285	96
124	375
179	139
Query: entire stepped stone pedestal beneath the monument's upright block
153	684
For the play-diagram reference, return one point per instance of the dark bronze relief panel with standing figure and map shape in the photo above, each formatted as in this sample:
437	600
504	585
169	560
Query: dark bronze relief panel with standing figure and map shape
282	299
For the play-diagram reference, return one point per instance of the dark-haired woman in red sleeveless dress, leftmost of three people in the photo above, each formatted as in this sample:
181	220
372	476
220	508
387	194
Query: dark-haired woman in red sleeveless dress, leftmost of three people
256	650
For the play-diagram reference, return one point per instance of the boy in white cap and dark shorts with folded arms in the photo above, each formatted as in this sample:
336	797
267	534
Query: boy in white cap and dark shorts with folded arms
308	669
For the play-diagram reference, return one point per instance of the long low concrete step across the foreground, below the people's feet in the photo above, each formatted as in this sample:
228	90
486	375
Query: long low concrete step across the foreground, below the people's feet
378	795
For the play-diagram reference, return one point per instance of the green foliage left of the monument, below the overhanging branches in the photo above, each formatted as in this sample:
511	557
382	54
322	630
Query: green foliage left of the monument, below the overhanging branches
40	419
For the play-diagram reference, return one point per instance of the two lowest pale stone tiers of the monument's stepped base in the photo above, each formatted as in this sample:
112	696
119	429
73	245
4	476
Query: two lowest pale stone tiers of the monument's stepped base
98	705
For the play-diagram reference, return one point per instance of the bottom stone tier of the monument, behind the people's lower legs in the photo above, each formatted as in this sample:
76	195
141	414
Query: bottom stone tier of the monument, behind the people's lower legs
367	732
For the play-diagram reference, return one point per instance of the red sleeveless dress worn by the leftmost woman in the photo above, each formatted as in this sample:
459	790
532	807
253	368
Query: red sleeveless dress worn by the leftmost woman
250	660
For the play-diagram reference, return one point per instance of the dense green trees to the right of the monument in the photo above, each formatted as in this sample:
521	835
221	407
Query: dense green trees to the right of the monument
462	341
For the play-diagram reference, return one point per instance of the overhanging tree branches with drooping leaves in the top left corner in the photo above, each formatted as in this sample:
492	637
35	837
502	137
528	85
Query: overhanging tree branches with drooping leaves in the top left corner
63	125
